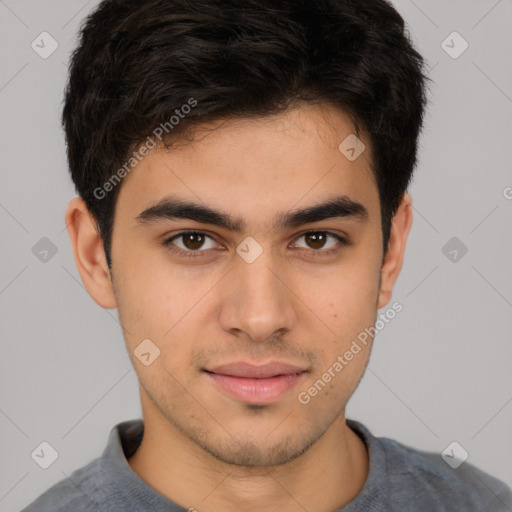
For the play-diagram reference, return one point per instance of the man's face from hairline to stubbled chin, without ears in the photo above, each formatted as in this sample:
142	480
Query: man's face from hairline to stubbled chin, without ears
251	307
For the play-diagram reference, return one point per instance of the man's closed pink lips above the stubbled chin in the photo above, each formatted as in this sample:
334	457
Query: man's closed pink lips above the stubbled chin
253	384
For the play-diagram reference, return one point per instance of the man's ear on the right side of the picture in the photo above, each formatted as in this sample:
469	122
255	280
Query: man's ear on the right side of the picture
394	257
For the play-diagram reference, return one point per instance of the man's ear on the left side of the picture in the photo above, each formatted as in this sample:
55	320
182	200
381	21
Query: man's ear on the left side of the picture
89	255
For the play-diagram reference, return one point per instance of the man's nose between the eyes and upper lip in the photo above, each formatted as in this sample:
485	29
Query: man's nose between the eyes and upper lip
257	302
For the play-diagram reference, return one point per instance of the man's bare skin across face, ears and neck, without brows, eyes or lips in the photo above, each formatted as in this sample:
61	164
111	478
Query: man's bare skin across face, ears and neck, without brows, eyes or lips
202	448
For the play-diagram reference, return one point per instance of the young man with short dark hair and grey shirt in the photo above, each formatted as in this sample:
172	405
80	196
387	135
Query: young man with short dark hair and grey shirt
242	170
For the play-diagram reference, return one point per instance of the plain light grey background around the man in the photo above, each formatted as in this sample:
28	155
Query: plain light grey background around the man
440	371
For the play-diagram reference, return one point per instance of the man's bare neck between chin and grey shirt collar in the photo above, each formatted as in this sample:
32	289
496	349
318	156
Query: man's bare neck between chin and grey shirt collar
324	478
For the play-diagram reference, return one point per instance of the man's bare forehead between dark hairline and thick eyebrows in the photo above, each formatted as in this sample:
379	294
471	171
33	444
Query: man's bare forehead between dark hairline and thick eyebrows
252	167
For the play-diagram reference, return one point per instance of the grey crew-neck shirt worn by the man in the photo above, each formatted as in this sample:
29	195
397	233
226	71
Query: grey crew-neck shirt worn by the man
400	479
